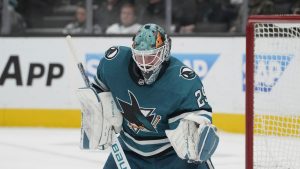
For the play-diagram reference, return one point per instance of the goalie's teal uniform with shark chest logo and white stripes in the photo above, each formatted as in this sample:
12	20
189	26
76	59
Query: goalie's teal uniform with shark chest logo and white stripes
149	110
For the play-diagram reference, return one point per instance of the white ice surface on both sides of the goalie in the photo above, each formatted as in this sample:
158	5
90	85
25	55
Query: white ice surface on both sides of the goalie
43	148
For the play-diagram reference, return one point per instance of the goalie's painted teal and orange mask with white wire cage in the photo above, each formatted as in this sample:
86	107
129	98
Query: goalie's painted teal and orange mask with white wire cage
150	48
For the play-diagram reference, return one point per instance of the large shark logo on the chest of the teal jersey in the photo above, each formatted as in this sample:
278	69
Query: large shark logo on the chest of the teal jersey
139	118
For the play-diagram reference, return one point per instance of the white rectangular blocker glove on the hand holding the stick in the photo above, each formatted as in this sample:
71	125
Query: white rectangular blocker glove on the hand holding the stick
100	118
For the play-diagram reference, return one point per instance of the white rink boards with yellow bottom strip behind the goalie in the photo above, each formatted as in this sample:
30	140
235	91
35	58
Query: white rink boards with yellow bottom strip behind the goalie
38	78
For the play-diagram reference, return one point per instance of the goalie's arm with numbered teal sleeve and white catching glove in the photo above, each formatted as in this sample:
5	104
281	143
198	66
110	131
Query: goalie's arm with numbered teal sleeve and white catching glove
191	133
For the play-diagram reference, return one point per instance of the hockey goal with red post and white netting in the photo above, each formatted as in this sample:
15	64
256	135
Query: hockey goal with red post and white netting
273	92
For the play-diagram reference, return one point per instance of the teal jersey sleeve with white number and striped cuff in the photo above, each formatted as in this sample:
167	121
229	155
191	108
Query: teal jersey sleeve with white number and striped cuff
194	101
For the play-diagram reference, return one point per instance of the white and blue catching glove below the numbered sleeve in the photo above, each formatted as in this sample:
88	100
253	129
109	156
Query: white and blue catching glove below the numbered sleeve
195	138
